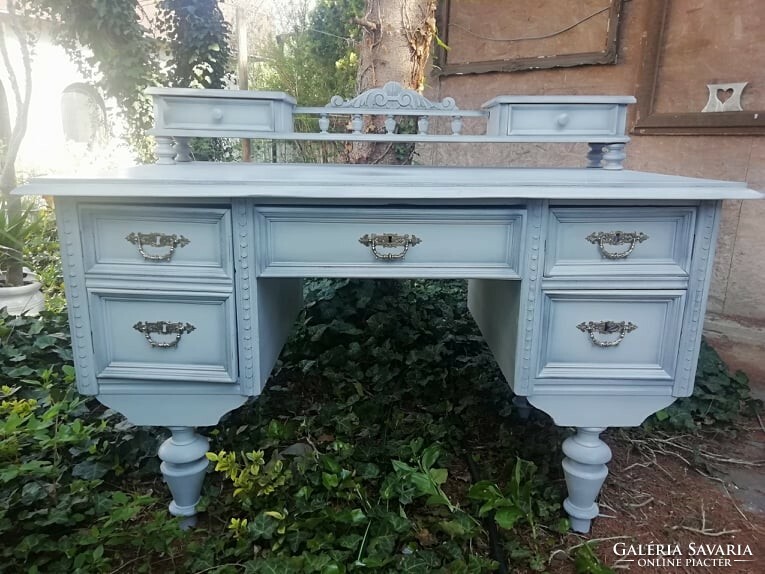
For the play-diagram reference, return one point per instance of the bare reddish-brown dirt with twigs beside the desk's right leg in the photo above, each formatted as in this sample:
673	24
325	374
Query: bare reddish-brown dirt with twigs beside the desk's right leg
656	493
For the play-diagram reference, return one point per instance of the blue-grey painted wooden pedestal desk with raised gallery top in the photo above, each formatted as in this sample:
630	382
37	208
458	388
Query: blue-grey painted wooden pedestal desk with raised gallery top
183	278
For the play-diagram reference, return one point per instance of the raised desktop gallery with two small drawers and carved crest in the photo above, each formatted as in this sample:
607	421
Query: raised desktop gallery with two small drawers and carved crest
381	114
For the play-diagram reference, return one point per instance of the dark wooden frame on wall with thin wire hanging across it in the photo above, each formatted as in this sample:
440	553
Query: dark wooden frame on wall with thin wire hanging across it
542	61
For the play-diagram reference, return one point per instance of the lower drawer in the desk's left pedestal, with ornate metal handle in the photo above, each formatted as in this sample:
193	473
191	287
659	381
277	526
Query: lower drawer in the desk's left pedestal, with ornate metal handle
164	336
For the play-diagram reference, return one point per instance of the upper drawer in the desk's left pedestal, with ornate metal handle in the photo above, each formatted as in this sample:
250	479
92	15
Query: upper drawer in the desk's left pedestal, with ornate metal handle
158	241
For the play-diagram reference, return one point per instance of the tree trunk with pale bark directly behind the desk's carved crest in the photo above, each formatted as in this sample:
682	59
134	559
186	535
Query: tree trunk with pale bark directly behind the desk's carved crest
395	47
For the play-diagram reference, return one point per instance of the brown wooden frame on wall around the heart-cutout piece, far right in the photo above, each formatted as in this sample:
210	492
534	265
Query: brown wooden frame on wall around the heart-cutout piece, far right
650	122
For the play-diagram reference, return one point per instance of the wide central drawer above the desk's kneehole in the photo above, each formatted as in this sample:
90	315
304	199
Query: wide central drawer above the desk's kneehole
408	242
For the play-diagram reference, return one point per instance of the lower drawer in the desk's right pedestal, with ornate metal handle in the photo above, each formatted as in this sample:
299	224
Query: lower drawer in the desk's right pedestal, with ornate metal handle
610	335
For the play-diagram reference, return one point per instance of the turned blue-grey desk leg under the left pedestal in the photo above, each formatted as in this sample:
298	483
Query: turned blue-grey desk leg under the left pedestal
184	465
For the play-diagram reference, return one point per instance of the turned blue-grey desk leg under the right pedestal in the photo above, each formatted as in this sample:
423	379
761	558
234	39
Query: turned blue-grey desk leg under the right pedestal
585	470
